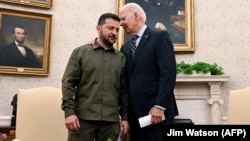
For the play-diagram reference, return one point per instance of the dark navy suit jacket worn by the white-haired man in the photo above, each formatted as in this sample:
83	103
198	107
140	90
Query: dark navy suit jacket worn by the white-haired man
152	73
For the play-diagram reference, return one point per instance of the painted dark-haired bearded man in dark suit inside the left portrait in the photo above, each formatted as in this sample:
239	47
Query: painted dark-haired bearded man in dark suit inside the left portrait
17	54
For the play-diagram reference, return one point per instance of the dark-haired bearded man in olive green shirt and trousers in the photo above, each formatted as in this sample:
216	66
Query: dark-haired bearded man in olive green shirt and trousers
94	87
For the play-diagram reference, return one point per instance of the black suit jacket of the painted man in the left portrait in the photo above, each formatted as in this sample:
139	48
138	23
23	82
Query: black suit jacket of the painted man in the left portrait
11	56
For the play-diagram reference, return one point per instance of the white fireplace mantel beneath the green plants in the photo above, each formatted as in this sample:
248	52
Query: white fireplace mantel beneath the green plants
213	96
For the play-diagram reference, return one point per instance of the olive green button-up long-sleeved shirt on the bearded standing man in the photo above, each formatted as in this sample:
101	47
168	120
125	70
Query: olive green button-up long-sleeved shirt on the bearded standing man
94	84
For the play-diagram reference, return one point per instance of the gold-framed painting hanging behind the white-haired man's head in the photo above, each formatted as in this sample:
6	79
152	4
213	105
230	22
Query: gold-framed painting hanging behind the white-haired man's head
175	16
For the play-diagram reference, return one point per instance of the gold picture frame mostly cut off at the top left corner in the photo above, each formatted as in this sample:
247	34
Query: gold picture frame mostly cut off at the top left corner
36	3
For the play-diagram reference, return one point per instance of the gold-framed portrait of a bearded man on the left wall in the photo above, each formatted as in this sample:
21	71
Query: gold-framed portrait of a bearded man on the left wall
24	42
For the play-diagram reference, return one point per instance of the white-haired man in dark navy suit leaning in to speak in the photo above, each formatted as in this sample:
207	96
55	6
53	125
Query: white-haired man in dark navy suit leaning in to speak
151	75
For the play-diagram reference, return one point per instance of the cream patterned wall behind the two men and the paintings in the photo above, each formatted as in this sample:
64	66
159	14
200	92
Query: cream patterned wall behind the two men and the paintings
221	36
